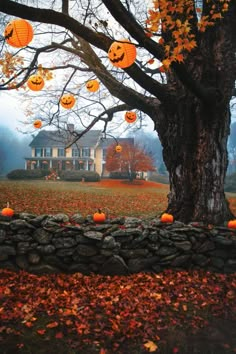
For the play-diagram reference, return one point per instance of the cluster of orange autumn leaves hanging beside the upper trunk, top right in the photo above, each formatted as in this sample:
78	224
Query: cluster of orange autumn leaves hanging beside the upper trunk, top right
179	21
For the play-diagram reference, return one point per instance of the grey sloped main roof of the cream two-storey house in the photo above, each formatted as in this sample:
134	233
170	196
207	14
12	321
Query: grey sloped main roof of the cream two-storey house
49	138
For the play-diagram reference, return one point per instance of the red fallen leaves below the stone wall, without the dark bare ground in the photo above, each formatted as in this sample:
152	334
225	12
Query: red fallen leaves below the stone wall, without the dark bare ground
94	308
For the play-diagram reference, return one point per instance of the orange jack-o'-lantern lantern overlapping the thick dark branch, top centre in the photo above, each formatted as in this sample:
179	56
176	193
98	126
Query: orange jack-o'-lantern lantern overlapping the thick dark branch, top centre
122	54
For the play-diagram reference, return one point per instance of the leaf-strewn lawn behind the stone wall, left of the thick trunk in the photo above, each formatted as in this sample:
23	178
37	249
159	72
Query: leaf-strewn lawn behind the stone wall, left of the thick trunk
141	198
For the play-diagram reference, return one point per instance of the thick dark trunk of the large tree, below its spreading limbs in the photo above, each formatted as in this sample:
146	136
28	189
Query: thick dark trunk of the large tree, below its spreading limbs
194	139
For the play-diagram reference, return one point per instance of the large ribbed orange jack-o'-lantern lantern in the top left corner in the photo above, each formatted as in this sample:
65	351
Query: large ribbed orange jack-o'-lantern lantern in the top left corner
18	33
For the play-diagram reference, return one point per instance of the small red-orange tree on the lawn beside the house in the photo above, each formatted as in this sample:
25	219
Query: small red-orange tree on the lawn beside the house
130	160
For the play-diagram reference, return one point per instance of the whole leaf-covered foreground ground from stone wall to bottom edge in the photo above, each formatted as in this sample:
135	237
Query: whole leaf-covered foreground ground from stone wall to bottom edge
162	313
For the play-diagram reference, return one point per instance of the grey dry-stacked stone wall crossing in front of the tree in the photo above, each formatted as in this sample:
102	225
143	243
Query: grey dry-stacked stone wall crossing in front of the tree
49	244
